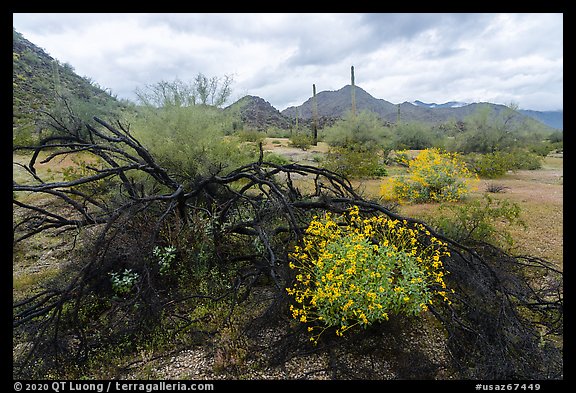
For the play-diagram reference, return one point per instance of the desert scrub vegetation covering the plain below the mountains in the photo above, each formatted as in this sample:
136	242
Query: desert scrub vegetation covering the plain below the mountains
175	229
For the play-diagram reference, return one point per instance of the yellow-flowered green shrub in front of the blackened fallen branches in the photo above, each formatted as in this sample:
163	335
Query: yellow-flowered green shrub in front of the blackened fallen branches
355	271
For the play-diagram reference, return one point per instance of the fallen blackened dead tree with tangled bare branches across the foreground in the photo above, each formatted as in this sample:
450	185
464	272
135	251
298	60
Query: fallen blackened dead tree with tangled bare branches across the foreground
145	235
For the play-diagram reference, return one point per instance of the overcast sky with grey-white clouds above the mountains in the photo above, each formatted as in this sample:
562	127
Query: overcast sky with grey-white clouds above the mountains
432	57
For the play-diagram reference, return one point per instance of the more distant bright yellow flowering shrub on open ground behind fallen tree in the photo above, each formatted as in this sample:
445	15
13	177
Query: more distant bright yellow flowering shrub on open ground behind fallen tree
433	176
